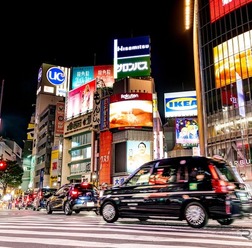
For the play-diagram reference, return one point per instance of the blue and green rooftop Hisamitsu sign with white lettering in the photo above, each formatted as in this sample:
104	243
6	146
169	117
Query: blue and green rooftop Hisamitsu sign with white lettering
132	57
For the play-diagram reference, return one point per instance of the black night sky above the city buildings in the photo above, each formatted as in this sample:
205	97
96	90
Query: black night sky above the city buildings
74	35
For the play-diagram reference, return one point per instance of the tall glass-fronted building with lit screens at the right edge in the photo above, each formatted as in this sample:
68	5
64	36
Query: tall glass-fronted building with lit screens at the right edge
223	71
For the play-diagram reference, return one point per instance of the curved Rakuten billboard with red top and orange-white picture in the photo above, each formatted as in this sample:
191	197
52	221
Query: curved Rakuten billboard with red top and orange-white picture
131	110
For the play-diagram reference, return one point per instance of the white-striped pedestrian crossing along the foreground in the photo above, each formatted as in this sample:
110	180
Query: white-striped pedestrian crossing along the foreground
94	234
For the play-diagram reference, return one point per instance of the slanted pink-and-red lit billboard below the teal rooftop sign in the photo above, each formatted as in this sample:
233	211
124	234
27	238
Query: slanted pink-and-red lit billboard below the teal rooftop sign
80	100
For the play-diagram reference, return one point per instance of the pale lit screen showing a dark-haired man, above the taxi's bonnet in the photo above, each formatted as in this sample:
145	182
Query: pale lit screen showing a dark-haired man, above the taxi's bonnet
138	153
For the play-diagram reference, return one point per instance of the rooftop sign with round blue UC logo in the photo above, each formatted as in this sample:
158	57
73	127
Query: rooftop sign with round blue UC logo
53	80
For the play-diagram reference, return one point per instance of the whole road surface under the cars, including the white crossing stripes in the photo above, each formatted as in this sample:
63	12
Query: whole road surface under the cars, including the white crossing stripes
36	229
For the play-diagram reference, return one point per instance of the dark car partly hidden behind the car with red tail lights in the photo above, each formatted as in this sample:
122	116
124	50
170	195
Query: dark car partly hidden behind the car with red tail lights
41	197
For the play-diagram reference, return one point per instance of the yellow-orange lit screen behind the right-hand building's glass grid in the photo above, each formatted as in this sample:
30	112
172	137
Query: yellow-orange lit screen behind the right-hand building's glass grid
233	60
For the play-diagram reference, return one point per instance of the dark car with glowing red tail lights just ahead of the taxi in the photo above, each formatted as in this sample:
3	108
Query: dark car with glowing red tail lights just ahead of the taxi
74	197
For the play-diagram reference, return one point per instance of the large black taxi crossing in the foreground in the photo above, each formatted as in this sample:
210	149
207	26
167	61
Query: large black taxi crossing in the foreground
191	188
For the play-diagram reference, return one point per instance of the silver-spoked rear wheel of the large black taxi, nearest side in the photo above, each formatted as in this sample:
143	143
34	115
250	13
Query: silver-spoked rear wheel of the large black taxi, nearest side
196	215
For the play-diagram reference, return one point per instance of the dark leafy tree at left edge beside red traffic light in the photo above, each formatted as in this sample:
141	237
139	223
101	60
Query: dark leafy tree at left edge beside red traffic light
12	176
